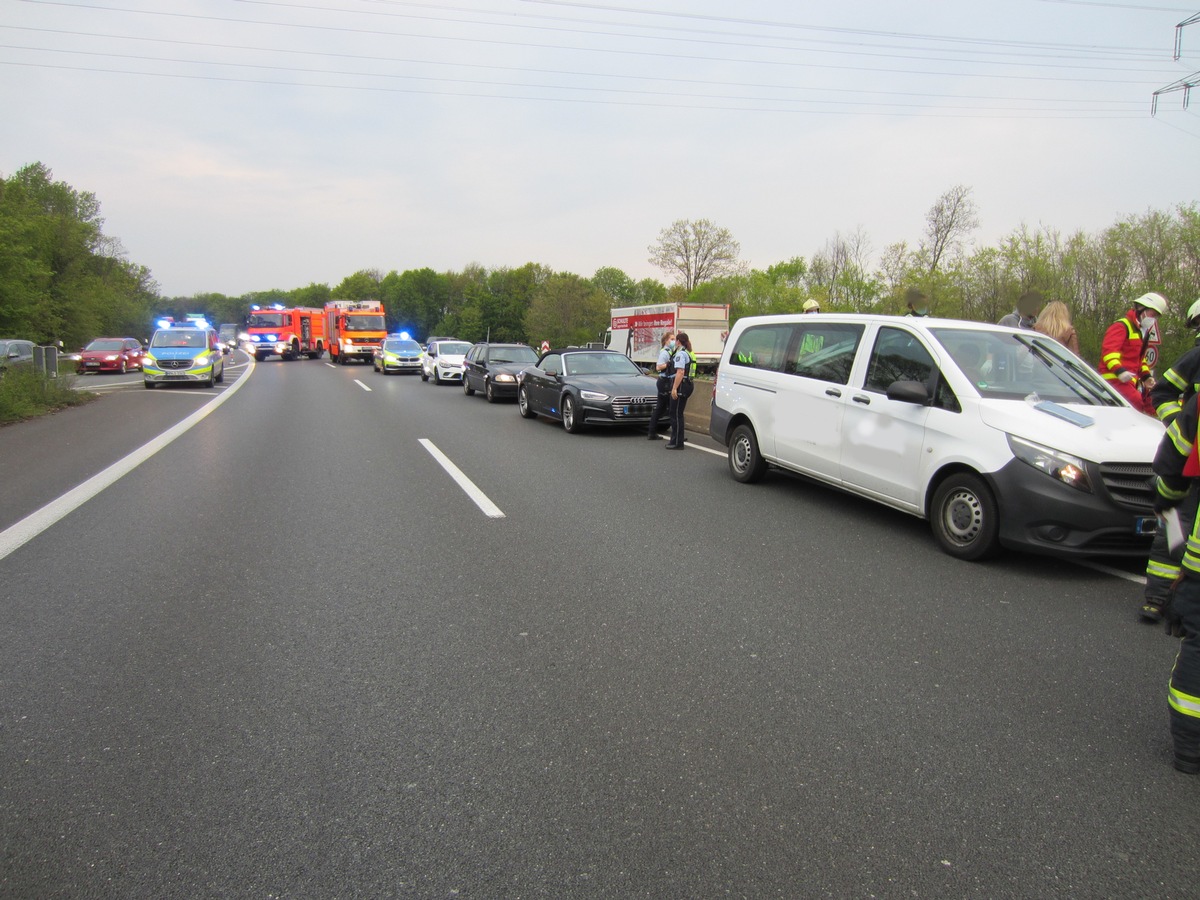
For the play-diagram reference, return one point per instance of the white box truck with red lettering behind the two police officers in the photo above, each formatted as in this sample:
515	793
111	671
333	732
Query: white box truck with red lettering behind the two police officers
638	331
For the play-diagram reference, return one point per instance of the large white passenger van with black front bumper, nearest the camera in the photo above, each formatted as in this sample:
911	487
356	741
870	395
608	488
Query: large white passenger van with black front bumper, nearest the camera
997	436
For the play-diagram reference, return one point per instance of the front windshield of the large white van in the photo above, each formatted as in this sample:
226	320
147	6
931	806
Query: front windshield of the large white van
1009	367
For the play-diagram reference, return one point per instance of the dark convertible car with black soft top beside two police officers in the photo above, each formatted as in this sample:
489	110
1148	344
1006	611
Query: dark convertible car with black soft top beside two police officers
583	387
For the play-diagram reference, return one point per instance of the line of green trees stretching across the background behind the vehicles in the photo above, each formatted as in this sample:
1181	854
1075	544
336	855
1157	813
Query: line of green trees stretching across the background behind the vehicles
63	279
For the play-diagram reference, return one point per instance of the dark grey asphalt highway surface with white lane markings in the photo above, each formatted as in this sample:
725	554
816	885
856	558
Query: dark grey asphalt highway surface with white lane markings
290	656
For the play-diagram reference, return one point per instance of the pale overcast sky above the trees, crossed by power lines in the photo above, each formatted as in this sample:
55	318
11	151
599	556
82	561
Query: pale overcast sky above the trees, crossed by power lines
241	146
